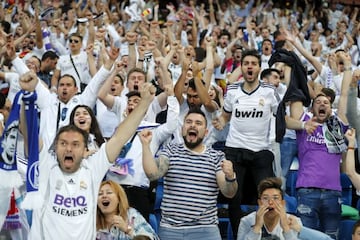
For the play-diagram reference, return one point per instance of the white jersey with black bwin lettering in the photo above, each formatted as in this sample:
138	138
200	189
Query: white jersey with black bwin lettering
250	116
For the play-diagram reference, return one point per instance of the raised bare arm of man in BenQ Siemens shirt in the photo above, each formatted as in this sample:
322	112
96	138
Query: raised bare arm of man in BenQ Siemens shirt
127	128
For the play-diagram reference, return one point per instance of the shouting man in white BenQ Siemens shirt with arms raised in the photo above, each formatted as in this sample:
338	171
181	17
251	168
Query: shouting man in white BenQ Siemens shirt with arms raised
69	179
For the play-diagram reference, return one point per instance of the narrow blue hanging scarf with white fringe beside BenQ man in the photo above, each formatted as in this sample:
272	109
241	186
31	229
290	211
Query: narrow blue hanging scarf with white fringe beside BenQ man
33	198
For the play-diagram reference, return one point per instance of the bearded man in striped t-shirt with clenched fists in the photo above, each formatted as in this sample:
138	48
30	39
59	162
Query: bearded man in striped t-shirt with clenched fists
193	174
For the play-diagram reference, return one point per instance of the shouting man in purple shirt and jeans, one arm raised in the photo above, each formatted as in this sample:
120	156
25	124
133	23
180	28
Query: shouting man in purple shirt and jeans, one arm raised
319	192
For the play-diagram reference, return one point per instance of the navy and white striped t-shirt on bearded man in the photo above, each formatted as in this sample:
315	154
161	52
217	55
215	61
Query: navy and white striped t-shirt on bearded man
190	187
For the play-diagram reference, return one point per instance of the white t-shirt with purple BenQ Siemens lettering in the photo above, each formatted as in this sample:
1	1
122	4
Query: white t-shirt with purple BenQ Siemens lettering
69	210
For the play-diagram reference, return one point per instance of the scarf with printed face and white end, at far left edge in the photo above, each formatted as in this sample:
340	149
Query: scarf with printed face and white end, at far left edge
9	176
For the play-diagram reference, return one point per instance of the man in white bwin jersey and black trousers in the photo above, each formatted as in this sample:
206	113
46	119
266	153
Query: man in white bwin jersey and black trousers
248	107
